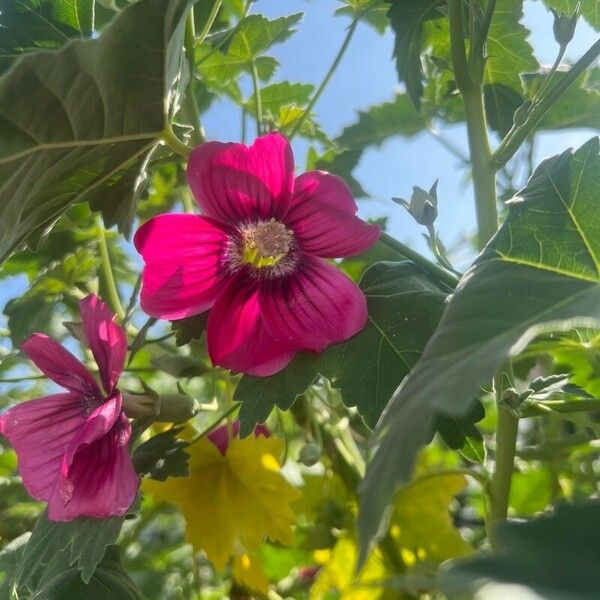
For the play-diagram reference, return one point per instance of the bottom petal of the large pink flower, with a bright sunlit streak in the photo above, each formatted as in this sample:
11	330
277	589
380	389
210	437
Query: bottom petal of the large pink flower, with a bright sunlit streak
237	337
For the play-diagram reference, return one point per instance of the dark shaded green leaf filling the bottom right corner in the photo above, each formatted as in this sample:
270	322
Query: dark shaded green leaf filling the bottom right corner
554	556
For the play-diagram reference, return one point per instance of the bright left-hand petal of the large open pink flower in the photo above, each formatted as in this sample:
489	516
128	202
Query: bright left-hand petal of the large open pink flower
184	269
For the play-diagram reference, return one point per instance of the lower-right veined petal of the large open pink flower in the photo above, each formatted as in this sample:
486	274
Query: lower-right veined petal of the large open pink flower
314	307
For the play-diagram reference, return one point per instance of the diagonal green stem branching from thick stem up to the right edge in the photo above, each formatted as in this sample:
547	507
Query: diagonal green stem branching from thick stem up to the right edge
517	135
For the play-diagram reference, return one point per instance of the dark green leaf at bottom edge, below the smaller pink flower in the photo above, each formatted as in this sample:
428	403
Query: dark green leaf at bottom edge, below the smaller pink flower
109	581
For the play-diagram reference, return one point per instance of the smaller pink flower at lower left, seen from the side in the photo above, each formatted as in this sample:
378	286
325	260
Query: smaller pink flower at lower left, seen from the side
73	446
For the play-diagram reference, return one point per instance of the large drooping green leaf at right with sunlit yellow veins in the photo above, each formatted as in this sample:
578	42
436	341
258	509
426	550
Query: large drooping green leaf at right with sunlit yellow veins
540	272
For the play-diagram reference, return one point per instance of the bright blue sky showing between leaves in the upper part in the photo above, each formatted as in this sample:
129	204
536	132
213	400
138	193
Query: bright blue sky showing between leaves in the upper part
367	76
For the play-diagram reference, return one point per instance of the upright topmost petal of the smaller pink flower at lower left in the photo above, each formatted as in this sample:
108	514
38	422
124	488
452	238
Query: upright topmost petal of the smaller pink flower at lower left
106	339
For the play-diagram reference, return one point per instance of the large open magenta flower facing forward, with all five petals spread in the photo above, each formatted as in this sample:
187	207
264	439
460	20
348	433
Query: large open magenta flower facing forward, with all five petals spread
257	256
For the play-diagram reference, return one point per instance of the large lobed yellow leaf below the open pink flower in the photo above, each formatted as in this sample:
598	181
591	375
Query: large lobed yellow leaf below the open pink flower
232	502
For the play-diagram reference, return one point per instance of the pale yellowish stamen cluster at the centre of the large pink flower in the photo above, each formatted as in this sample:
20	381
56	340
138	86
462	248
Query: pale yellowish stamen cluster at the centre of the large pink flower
266	243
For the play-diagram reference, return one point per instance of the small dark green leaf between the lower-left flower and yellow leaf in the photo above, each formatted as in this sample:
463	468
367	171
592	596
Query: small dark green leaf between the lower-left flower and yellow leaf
163	456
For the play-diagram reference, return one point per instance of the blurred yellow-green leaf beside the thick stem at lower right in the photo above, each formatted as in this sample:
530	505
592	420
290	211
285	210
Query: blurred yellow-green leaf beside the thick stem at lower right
421	523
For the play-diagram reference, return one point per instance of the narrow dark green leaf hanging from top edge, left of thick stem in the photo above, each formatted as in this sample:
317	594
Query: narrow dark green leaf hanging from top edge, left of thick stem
407	19
